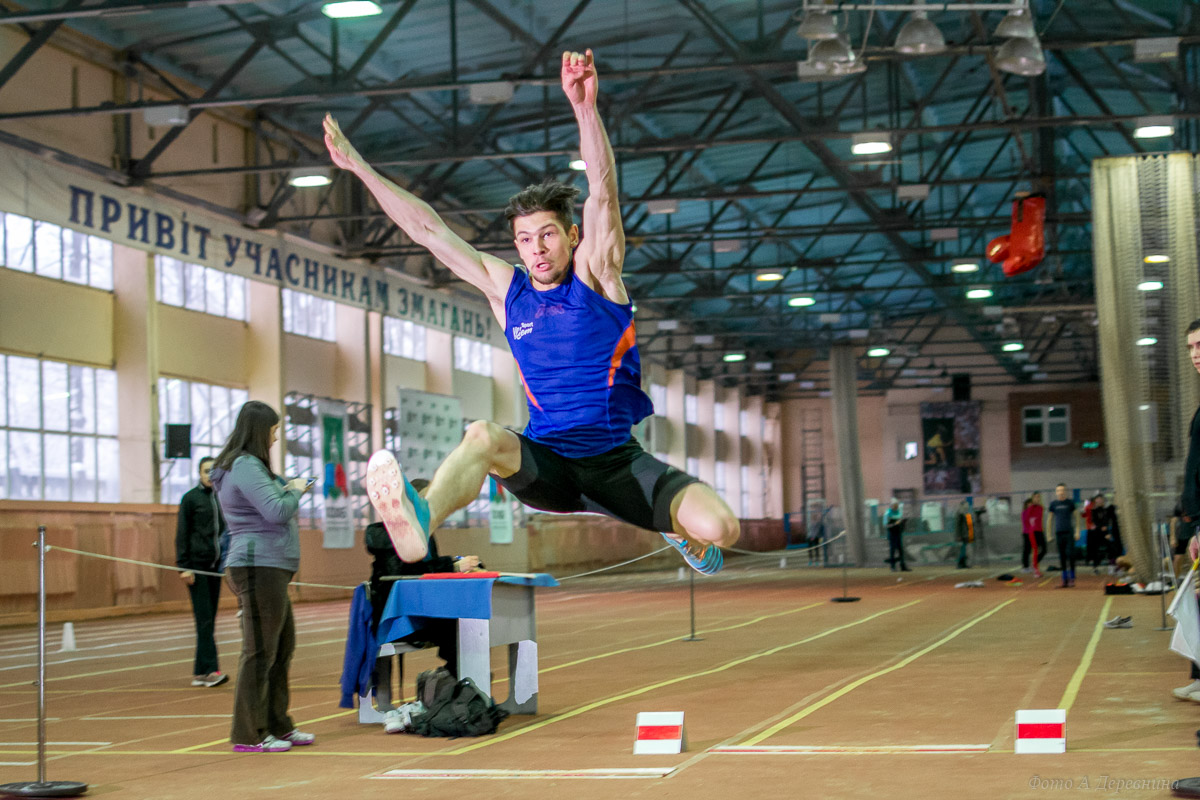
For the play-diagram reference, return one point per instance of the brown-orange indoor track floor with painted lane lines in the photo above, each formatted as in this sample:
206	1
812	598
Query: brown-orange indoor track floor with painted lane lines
909	694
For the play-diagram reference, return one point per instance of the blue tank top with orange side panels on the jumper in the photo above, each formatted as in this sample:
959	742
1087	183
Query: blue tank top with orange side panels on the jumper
578	356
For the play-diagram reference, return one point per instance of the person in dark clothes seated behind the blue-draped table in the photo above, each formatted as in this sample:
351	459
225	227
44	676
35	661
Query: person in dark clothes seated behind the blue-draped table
441	633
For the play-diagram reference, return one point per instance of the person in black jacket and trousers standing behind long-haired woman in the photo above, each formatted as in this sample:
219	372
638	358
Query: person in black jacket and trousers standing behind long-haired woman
199	550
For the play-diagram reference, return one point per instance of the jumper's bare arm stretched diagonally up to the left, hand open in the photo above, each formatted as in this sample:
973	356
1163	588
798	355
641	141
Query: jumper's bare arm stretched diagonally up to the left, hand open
415	216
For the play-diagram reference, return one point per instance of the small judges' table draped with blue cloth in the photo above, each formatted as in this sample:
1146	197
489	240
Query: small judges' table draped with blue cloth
491	612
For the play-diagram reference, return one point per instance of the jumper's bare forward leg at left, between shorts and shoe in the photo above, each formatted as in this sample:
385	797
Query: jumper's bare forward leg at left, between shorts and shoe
485	448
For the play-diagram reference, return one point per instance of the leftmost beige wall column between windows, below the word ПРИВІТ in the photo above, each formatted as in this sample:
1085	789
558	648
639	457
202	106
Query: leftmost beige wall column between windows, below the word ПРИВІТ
136	353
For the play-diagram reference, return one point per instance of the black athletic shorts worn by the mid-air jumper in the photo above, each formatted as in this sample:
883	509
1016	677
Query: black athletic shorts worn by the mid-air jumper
626	483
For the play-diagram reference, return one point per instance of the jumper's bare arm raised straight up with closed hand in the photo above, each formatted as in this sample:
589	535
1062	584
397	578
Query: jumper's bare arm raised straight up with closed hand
603	250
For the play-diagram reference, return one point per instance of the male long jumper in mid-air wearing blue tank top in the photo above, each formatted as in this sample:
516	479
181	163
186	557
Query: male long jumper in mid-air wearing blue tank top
571	326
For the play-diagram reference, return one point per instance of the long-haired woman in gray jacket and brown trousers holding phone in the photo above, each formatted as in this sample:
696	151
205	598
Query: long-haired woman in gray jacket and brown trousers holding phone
265	555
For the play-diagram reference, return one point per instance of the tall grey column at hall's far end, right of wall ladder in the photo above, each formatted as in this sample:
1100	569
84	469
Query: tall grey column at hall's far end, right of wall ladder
844	384
